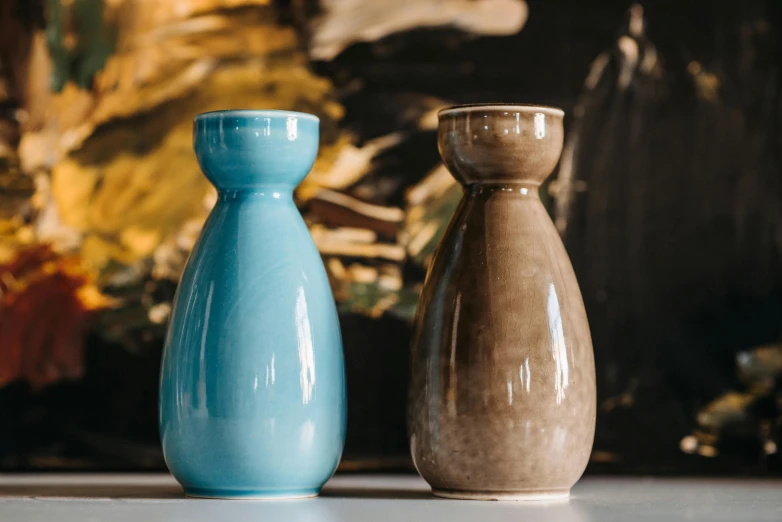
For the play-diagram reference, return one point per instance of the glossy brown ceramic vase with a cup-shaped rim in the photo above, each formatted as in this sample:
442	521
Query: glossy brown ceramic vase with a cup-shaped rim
502	398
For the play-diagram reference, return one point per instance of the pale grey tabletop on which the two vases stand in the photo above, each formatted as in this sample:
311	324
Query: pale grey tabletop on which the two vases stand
379	498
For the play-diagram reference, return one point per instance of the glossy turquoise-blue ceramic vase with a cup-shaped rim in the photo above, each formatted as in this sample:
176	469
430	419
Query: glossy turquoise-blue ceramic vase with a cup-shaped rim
252	388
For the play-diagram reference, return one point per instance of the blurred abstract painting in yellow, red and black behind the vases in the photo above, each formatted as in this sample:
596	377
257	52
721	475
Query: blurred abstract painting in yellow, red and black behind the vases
668	198
